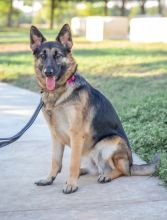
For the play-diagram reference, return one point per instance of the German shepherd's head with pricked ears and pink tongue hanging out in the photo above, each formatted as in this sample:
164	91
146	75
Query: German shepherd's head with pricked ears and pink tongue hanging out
54	63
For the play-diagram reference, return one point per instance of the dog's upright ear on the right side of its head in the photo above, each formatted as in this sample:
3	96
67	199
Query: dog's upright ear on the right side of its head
65	36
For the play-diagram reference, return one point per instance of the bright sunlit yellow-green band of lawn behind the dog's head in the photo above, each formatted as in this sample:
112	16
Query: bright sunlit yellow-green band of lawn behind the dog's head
116	58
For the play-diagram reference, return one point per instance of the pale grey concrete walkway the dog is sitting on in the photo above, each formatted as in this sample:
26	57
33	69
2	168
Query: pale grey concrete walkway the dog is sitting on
27	160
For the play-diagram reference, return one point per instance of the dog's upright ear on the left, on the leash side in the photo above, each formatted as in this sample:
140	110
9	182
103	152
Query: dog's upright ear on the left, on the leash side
36	38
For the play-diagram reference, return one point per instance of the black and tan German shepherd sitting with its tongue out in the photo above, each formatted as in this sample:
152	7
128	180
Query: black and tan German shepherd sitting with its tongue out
79	116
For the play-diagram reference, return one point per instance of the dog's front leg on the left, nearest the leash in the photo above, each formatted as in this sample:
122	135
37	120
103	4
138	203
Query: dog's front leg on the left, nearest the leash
57	155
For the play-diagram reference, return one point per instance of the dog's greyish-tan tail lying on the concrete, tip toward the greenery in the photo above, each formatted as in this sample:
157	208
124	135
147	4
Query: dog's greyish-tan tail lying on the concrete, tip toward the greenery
145	169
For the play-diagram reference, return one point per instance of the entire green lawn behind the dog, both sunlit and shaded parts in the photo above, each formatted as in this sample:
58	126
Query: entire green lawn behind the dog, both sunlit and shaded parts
132	76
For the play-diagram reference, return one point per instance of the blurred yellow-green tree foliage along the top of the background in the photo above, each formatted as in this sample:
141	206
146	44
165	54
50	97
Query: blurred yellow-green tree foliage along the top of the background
64	11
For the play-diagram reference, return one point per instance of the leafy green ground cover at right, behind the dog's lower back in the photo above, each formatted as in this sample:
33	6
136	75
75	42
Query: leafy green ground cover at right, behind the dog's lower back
146	124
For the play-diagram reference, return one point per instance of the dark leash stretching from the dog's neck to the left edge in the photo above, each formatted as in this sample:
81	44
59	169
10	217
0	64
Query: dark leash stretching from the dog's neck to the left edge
6	141
